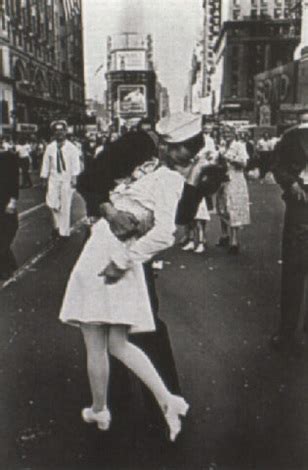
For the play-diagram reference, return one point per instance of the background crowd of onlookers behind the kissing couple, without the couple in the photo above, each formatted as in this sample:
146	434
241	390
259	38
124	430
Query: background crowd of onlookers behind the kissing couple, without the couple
232	156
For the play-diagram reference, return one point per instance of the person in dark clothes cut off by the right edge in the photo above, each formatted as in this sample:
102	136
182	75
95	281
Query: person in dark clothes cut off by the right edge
291	172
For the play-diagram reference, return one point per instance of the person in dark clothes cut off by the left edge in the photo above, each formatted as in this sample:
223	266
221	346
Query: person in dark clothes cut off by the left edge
9	175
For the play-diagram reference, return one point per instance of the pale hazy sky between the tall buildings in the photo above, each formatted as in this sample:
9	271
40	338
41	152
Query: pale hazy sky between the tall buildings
174	25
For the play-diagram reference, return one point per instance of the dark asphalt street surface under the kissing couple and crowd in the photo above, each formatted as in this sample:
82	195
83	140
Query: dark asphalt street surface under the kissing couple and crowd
249	404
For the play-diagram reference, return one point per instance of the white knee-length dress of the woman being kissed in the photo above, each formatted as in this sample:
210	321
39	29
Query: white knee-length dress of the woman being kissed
87	298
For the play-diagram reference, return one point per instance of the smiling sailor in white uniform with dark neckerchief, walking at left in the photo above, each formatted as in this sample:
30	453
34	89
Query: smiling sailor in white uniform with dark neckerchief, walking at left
60	167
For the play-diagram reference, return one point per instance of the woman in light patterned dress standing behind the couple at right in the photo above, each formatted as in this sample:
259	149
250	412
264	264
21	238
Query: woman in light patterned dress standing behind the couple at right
233	197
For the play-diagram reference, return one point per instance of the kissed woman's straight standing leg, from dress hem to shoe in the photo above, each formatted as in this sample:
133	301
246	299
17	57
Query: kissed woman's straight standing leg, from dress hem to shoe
96	342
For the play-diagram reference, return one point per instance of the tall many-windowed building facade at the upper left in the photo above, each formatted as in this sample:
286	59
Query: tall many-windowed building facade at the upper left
41	64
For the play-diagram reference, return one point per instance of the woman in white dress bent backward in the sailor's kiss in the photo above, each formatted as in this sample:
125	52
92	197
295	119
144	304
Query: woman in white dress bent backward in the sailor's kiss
107	297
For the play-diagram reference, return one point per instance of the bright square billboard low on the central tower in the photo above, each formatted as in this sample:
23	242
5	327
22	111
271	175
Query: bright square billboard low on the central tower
132	100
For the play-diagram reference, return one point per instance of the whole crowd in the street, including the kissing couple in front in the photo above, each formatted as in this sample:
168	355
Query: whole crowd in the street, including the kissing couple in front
146	190
